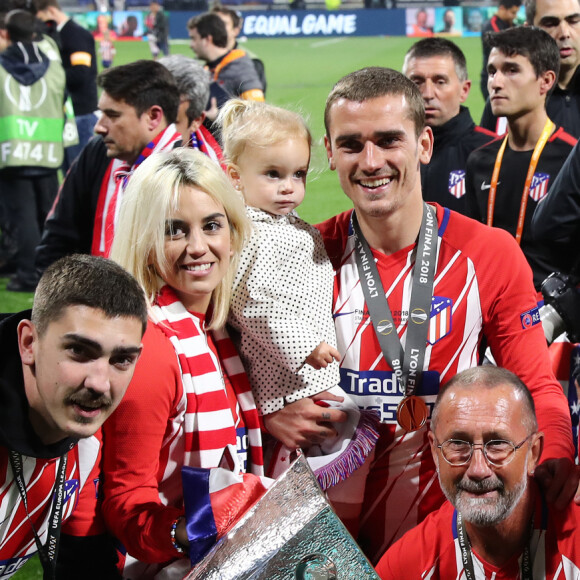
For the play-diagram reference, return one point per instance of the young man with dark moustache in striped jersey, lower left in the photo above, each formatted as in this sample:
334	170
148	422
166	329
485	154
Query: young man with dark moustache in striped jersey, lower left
64	369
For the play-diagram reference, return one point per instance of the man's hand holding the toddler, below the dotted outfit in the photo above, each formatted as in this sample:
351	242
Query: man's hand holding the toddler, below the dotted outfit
304	423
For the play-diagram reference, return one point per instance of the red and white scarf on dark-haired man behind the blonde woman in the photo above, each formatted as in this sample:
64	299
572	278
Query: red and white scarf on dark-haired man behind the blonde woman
113	186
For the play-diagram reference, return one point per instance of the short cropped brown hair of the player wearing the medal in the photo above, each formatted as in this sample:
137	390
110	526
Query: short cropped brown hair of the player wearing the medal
373	83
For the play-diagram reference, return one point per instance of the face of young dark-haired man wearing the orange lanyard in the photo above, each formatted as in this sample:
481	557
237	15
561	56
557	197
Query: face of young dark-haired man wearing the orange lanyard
514	88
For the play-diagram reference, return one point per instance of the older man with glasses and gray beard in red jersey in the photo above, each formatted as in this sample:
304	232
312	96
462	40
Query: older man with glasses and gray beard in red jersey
496	524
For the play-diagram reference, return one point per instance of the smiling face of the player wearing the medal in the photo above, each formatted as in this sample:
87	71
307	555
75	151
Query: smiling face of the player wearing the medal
373	147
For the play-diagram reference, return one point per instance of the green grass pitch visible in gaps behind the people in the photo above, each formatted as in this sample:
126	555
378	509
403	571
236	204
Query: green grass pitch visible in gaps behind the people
300	72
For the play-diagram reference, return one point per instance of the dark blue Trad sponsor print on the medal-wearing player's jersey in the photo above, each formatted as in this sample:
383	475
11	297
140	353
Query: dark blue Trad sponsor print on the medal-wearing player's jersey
381	391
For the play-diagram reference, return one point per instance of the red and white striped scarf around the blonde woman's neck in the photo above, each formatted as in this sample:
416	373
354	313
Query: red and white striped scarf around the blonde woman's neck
208	424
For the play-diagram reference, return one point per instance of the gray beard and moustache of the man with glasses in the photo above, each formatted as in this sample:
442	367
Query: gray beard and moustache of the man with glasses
486	511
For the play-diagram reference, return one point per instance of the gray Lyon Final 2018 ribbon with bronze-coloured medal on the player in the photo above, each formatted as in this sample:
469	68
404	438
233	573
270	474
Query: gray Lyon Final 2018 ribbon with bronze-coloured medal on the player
407	364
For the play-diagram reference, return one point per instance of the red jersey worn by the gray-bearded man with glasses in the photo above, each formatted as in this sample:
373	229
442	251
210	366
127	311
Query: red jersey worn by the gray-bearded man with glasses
432	549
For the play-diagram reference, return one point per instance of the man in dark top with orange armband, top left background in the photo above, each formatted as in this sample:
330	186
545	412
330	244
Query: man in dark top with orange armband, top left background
77	51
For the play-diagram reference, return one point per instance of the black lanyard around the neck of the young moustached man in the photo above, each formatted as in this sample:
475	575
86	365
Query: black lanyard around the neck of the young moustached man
47	552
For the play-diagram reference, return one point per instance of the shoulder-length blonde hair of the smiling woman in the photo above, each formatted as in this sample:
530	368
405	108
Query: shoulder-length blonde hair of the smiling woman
151	197
